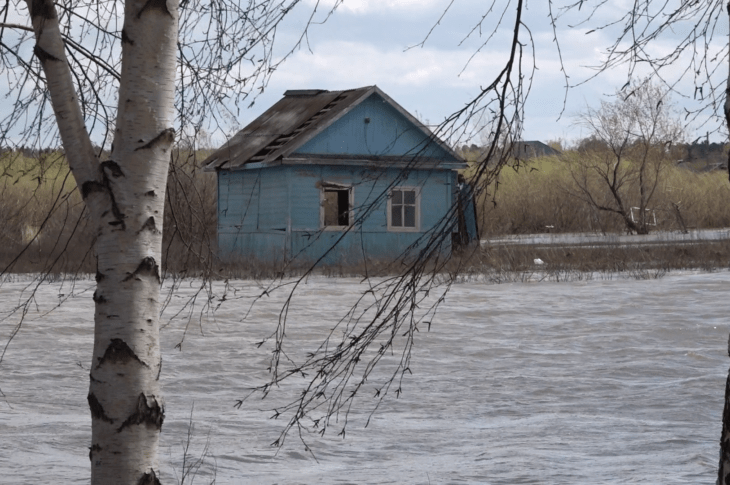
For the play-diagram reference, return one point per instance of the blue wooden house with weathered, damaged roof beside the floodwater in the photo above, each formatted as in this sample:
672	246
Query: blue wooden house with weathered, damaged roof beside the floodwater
336	177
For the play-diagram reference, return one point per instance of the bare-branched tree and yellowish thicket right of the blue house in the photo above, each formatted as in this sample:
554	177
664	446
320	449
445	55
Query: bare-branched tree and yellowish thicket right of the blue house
633	173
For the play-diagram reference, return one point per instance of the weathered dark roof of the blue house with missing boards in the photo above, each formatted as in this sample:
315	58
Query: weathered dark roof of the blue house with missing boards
294	120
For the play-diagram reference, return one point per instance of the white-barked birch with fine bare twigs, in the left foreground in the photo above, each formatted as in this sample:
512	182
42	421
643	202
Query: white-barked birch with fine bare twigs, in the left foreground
124	194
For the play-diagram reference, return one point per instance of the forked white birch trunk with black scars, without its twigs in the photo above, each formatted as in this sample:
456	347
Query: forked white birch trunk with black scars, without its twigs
125	197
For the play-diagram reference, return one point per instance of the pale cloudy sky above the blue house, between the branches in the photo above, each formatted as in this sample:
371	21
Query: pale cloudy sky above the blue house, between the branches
380	42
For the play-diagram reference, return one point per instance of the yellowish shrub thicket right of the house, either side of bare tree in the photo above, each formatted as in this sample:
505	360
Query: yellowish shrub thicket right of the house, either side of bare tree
540	197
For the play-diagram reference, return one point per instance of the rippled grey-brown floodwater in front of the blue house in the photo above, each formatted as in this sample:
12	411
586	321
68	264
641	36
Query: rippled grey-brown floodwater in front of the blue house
617	381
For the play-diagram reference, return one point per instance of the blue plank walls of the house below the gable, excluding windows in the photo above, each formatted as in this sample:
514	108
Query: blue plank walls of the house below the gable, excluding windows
273	214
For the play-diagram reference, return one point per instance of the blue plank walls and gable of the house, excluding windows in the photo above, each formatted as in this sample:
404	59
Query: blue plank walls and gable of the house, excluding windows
273	213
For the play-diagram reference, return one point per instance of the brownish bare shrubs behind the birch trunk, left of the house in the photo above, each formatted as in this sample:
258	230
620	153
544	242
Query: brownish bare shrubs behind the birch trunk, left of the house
45	226
